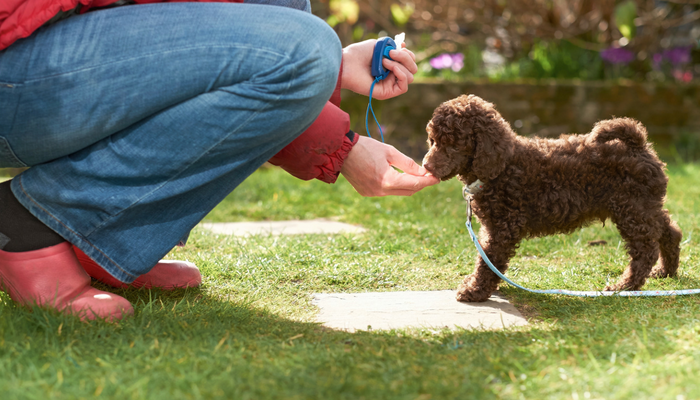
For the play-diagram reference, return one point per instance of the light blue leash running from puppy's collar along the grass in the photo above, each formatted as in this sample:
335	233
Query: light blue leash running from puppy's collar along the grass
636	293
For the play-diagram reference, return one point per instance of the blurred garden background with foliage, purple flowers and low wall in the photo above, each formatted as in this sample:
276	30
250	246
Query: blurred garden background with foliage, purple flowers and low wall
550	66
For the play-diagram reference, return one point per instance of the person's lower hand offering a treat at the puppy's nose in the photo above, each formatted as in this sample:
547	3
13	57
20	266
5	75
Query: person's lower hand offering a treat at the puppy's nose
368	168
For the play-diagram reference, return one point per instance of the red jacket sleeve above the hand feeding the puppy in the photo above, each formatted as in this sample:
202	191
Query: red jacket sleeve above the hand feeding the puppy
319	152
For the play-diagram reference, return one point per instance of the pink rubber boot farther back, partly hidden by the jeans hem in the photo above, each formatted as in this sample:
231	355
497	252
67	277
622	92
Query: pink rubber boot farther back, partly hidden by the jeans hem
166	275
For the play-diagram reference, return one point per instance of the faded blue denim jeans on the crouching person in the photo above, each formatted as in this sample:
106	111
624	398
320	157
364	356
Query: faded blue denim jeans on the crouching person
138	120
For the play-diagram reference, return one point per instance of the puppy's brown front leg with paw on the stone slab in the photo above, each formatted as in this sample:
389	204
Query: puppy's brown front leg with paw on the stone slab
499	247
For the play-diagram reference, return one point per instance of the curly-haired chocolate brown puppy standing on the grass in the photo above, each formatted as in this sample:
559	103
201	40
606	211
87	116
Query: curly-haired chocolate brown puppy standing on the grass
536	187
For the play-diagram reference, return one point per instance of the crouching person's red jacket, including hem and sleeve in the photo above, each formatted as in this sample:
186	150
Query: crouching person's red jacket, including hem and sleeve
318	153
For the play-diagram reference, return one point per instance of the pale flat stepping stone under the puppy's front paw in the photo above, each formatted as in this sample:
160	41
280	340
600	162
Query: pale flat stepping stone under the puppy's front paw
396	310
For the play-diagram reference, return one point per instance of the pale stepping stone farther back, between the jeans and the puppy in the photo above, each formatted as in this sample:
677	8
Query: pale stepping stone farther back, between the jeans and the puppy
294	227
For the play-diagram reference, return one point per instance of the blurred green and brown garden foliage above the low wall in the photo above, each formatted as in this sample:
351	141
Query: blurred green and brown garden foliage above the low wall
538	40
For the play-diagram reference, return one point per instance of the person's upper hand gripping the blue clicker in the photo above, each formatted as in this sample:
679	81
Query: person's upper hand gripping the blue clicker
357	76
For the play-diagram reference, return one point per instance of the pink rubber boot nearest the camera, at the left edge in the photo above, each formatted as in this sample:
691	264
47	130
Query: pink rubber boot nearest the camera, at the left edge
53	278
